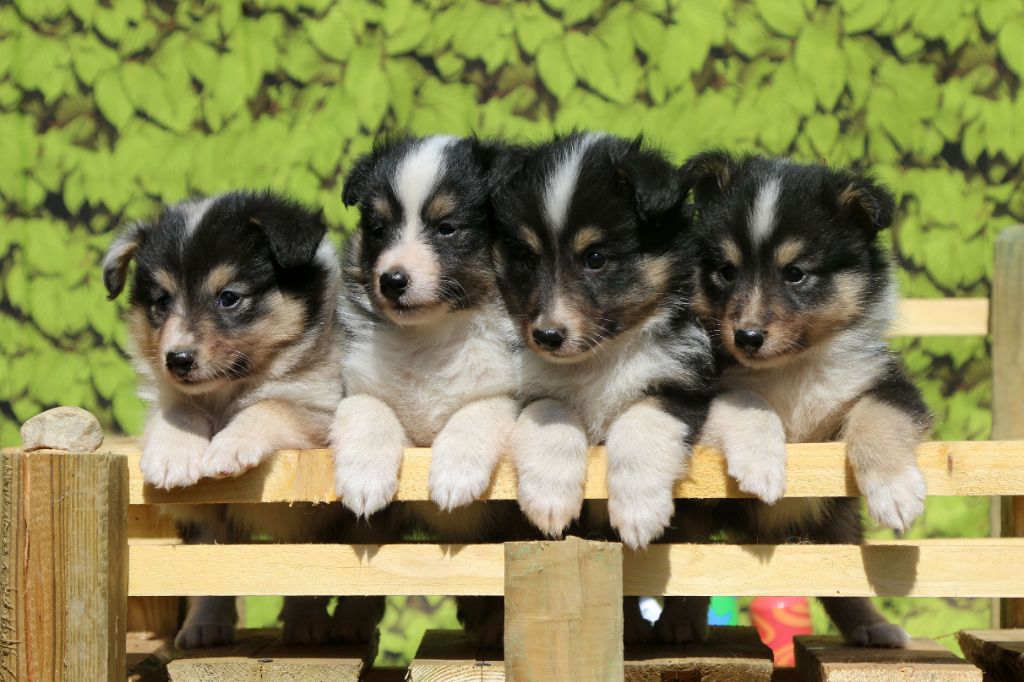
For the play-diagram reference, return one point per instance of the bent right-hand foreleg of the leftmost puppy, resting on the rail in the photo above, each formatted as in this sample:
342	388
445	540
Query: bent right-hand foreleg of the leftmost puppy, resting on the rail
255	434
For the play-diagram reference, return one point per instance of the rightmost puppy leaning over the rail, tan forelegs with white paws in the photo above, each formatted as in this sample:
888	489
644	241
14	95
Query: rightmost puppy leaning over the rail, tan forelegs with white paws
798	294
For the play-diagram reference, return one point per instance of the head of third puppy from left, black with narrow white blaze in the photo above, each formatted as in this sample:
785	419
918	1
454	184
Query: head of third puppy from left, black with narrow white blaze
589	227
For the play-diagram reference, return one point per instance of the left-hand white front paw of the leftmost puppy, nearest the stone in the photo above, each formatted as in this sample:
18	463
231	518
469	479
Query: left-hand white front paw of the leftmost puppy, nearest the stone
176	442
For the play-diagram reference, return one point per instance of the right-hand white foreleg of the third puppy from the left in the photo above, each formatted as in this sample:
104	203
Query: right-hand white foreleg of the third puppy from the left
647	456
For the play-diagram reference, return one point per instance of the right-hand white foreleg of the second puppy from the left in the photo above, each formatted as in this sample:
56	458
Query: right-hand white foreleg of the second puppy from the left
467	450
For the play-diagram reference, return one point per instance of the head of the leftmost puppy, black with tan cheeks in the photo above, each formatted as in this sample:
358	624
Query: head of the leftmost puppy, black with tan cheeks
222	286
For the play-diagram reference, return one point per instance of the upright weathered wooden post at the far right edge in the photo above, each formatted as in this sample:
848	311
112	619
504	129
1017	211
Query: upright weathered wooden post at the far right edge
1008	379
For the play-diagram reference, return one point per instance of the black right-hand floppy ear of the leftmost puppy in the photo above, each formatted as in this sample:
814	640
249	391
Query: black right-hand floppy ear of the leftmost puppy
293	232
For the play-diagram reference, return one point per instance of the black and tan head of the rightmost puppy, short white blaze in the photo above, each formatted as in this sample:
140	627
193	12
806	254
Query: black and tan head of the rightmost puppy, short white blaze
788	253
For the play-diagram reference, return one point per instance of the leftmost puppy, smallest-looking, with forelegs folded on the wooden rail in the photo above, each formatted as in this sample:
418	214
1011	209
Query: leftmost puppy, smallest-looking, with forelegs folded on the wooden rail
235	333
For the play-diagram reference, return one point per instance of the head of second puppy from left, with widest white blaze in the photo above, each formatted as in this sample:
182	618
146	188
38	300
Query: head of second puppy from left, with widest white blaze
422	246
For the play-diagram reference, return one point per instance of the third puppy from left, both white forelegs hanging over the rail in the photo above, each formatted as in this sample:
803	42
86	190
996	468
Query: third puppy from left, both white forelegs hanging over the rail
596	269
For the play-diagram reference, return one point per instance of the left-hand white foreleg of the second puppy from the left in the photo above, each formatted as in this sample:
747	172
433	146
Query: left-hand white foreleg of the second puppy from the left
368	441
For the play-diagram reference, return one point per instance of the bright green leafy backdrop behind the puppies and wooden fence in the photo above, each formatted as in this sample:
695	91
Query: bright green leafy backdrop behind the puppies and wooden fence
109	110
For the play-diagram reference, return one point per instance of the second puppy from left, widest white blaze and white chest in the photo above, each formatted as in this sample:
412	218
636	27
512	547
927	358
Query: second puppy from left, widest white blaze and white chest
431	355
